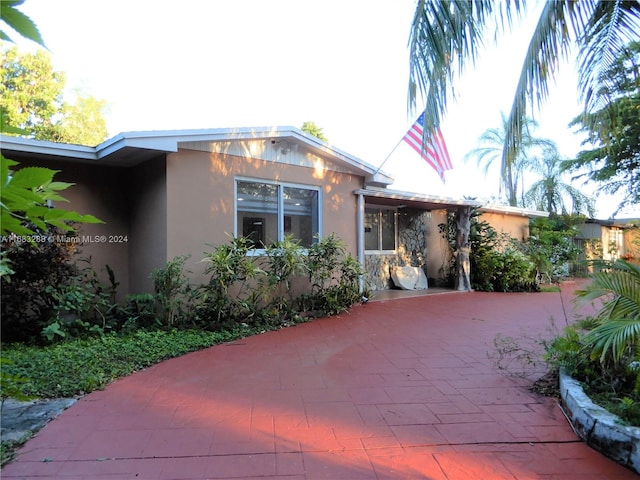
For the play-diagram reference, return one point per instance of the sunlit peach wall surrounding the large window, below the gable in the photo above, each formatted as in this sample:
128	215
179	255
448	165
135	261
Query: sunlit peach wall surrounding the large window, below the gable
200	200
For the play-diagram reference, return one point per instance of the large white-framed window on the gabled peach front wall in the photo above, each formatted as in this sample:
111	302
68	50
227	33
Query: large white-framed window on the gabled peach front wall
266	212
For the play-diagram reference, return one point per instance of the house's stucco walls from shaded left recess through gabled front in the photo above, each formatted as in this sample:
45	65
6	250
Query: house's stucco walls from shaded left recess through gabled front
183	203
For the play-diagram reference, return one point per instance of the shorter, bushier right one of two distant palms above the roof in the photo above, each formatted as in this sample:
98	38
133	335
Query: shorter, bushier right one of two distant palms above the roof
550	193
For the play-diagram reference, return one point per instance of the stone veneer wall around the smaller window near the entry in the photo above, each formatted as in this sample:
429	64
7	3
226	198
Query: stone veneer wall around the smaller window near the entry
411	250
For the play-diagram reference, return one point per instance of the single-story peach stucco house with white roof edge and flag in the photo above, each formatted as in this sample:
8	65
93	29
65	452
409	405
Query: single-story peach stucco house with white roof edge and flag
163	194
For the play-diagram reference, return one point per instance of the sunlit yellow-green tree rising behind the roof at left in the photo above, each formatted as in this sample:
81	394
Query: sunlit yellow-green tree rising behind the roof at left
31	98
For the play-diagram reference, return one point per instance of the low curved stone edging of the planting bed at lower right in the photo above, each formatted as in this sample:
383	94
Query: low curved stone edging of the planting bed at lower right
599	428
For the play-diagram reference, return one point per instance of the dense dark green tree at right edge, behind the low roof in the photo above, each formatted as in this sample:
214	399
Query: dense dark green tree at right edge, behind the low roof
614	133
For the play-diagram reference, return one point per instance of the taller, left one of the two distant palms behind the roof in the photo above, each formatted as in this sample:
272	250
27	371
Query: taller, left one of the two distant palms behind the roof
491	142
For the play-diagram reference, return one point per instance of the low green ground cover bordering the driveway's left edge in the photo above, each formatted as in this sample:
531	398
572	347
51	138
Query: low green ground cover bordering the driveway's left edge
77	367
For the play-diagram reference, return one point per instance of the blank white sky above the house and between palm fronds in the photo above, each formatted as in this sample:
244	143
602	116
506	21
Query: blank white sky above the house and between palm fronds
167	64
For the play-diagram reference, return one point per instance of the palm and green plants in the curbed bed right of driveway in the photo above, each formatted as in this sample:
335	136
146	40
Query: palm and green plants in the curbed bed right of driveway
602	353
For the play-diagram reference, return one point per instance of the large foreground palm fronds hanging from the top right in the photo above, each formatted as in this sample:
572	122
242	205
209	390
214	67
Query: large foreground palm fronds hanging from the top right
446	35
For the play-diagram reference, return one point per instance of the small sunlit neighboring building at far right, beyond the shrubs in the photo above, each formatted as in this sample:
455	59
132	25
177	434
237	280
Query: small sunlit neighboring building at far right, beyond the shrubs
609	240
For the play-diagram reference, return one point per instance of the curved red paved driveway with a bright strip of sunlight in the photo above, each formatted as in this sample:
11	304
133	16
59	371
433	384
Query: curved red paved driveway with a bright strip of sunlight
395	389
